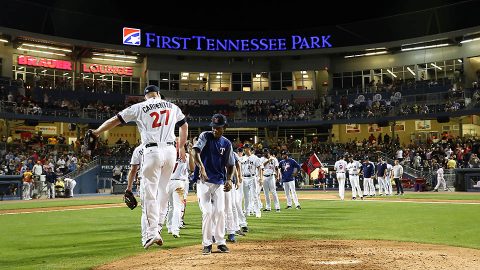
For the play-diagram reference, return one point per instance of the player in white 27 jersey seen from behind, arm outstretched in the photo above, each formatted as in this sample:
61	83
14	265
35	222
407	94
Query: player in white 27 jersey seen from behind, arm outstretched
156	120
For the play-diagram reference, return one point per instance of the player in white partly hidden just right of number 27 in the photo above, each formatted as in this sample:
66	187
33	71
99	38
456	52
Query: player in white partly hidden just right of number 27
176	191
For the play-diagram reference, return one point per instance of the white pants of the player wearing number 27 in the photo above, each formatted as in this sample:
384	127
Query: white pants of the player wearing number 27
157	167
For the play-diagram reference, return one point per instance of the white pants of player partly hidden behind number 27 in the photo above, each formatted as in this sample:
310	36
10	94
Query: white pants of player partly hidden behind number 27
175	189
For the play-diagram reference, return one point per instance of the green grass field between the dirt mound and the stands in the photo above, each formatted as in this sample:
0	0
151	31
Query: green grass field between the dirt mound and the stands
85	238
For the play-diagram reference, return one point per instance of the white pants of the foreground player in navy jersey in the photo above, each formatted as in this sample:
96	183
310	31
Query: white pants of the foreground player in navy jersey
212	203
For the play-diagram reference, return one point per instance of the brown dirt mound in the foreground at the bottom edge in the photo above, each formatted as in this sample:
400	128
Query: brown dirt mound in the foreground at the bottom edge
312	254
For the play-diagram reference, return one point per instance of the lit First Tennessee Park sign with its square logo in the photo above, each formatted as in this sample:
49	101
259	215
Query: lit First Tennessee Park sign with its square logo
134	37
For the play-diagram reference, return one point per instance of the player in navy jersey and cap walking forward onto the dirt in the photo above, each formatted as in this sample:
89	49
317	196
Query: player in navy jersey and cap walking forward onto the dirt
215	162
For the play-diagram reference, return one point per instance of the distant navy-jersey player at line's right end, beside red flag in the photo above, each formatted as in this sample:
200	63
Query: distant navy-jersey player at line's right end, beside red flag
289	169
